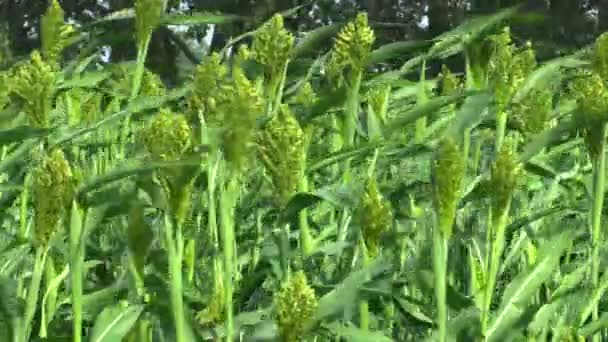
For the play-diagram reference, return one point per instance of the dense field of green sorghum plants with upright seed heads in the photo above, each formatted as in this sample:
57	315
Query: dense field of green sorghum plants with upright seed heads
295	188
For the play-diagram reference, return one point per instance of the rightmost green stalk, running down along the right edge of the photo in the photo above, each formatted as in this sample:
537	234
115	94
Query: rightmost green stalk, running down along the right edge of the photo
599	175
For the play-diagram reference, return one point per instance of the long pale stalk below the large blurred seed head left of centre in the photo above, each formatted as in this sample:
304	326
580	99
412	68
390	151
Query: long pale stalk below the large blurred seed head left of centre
228	196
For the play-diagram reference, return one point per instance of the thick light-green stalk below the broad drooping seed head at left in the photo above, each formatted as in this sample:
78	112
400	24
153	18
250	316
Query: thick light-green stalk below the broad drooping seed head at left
174	243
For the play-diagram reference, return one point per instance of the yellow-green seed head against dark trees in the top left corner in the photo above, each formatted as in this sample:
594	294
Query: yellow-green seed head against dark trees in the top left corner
54	33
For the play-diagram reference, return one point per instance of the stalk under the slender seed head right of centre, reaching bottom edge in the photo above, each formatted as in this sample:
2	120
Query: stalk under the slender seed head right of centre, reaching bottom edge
440	260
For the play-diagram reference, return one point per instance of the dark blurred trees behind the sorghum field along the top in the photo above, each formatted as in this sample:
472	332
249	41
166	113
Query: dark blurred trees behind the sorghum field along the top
567	25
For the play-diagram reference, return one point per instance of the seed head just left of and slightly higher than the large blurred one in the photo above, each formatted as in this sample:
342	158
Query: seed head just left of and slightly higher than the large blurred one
207	92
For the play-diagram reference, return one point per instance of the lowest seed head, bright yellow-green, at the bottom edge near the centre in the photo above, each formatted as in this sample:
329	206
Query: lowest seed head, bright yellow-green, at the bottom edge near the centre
296	302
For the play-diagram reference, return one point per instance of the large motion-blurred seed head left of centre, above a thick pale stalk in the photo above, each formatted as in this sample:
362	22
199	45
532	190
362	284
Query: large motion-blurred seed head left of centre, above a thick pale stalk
240	110
